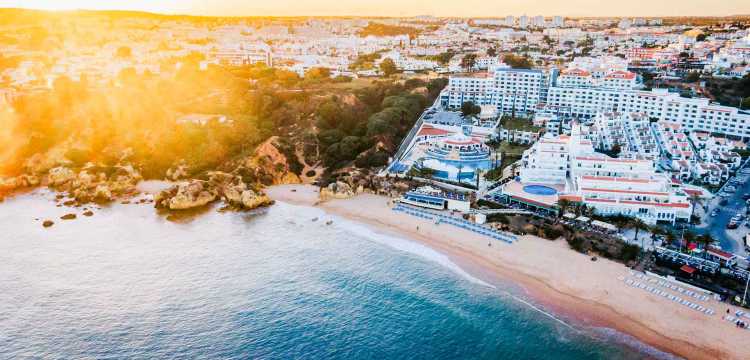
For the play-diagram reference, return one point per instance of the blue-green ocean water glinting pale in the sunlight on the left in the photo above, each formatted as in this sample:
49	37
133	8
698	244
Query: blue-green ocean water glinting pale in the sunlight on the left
271	284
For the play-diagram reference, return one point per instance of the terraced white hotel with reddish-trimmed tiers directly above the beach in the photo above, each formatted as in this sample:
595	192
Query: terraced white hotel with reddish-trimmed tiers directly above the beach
611	186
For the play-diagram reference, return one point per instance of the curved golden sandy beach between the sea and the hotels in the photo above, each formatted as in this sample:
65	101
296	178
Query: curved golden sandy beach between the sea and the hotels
569	283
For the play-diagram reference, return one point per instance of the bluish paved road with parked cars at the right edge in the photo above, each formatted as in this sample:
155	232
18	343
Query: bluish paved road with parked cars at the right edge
717	226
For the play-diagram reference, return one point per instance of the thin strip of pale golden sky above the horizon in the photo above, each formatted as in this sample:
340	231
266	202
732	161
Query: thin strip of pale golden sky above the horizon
457	8
